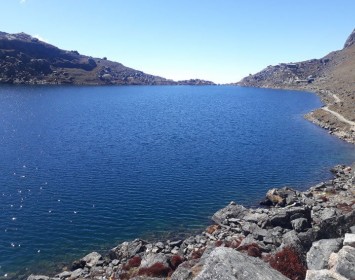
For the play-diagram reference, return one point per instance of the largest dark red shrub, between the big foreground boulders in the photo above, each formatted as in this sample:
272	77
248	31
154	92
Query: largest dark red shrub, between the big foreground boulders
289	263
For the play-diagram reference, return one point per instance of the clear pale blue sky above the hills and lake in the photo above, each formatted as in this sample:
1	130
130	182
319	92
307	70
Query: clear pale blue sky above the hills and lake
218	40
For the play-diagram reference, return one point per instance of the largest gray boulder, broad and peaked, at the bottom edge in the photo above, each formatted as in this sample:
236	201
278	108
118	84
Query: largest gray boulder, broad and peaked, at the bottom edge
228	264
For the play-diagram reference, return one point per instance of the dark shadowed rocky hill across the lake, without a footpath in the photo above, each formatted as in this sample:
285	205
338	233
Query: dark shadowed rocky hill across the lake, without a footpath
27	60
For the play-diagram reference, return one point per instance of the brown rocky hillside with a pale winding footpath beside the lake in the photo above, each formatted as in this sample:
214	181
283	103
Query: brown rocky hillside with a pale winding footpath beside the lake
332	77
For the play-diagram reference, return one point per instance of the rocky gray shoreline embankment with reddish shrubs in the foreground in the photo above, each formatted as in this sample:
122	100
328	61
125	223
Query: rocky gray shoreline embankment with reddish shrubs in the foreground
293	232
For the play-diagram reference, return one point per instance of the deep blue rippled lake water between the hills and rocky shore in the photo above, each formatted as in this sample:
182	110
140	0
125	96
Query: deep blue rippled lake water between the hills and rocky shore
84	168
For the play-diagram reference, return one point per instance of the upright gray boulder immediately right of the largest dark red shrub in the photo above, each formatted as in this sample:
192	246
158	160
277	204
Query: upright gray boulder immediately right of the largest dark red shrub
318	255
